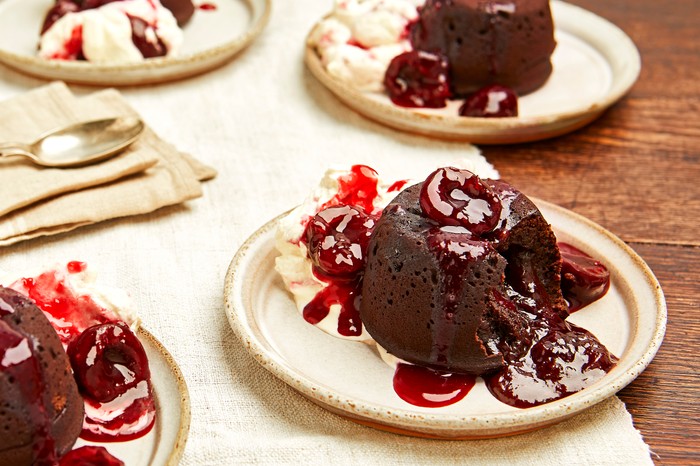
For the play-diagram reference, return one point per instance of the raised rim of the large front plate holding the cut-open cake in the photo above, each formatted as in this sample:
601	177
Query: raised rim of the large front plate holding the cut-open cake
442	425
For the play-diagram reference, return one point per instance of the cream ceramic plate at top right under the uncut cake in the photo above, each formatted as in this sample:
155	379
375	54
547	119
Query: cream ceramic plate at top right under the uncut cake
595	64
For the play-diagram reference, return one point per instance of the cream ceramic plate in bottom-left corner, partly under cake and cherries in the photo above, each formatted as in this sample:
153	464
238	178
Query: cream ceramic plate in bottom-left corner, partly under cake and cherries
165	443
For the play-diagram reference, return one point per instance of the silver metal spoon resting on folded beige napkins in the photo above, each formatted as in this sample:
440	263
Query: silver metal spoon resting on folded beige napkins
78	144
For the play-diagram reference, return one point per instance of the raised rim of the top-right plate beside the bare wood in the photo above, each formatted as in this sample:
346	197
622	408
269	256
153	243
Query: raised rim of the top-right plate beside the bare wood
483	130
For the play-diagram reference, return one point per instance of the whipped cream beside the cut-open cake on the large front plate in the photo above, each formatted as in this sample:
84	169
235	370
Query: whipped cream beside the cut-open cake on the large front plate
293	263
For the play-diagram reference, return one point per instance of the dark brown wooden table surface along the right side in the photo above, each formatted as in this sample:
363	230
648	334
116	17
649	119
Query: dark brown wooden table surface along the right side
636	171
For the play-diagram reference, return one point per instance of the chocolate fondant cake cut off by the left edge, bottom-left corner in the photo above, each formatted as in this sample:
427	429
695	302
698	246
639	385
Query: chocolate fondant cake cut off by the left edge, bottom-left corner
41	411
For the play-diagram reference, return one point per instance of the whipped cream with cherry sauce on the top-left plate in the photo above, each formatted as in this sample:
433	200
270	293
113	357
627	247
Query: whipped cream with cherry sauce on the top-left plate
105	33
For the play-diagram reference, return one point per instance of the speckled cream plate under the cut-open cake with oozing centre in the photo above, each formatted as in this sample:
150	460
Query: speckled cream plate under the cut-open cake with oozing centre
349	378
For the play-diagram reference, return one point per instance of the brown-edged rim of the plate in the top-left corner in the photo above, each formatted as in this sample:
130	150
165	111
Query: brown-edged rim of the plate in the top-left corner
93	74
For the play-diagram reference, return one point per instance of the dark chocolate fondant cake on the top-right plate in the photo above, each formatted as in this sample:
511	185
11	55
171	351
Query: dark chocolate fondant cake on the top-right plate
489	42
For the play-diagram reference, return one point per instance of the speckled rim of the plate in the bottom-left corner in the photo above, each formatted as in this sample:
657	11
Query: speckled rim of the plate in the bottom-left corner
185	407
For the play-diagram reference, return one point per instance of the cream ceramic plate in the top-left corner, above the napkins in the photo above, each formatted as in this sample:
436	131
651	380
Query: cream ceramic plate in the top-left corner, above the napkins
212	38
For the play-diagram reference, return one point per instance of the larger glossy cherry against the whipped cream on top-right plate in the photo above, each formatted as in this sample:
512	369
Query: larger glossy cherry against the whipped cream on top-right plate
418	79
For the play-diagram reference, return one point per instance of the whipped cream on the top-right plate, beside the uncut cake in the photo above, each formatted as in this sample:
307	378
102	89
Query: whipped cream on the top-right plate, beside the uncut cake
359	38
